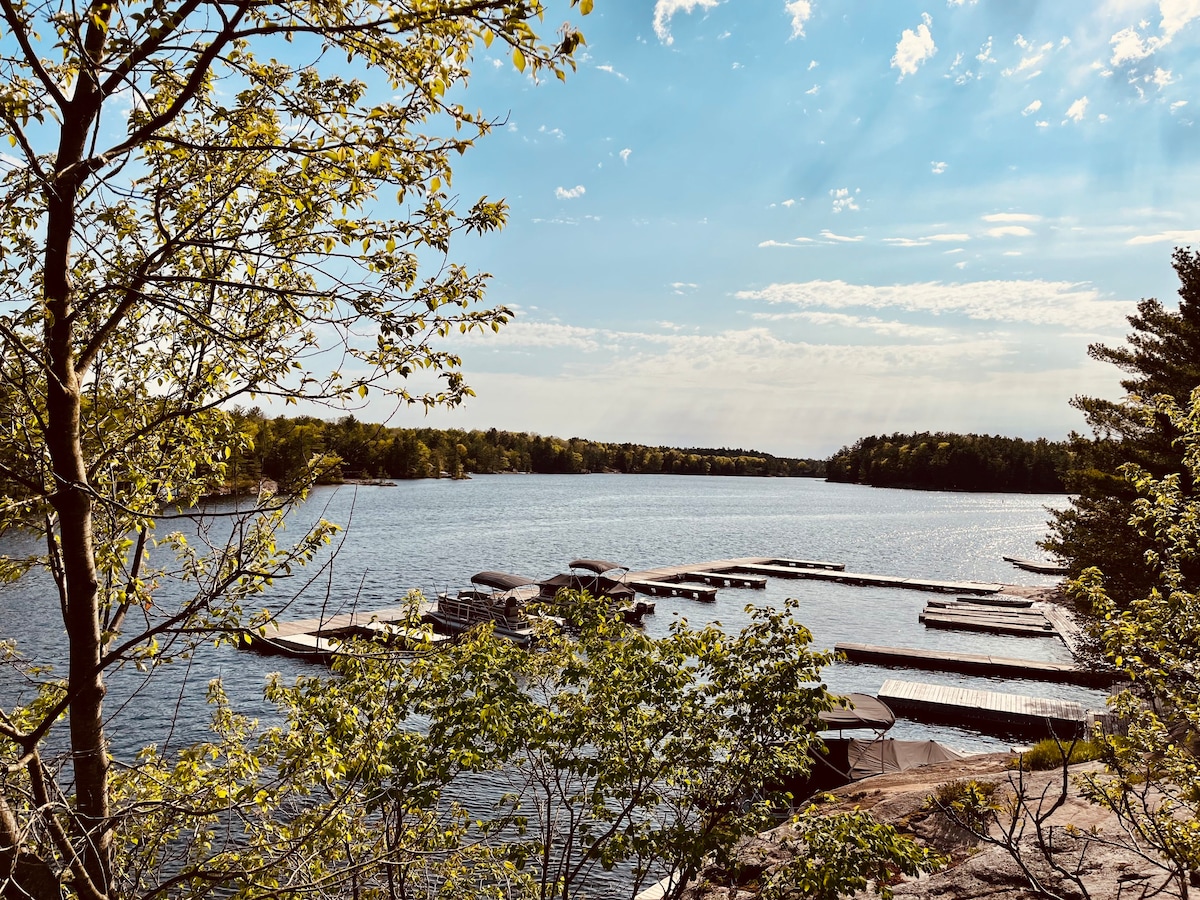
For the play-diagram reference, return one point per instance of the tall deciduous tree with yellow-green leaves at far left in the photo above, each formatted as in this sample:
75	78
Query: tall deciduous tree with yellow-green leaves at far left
197	214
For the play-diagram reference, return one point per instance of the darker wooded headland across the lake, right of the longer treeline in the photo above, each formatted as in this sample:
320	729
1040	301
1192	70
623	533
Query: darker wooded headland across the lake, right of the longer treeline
952	463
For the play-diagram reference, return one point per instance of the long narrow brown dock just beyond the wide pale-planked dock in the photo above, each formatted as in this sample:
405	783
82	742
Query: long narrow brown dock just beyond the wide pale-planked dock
976	664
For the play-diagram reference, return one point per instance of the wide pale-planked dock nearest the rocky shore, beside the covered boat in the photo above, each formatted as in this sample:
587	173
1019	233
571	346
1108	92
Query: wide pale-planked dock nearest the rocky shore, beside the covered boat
989	712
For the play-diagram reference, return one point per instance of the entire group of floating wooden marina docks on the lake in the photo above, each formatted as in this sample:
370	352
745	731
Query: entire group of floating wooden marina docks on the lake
981	608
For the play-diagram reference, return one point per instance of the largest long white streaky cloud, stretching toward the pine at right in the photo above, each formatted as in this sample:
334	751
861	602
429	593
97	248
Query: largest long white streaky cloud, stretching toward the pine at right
1033	302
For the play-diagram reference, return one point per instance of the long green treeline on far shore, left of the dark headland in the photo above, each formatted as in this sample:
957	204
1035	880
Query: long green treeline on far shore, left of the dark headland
283	448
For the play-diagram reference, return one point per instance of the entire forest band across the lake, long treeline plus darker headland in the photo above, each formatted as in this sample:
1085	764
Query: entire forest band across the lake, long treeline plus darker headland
283	448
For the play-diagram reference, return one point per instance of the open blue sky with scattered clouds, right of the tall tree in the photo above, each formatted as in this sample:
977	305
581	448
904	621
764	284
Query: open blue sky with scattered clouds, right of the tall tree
788	225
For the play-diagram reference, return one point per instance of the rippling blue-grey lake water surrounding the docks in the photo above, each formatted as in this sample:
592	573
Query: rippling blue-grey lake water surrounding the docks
435	535
